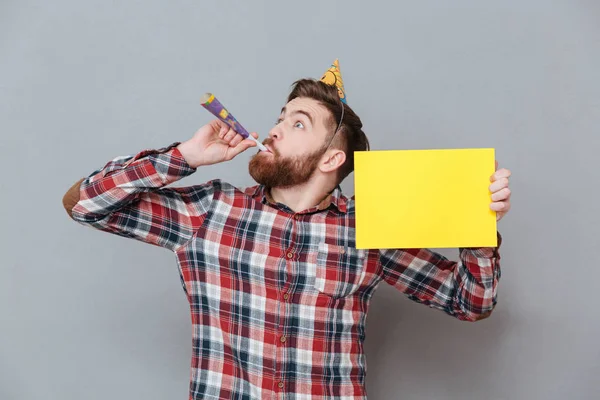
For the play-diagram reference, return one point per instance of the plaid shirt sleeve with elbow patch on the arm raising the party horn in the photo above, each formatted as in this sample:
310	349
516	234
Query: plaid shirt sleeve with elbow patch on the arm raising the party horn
129	198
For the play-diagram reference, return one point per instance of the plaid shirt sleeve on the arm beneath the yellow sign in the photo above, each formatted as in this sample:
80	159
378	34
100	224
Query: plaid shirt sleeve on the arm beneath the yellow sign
465	289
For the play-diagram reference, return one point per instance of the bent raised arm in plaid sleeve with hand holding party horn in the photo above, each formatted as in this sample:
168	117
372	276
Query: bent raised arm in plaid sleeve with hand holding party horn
129	197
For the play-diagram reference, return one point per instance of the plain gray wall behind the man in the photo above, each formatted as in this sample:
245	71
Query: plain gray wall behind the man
87	315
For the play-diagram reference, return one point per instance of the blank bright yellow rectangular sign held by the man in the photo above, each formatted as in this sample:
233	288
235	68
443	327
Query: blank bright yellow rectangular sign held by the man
424	198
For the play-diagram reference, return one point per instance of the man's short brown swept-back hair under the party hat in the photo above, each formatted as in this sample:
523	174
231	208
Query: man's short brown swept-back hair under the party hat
350	137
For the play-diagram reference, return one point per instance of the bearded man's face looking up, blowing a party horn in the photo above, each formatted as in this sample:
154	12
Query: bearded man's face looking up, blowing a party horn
297	143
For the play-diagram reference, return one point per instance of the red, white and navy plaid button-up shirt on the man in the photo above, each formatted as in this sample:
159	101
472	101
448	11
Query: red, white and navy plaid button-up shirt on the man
278	298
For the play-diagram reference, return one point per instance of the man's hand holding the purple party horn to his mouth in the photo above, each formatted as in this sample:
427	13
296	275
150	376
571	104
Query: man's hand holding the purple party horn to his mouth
215	142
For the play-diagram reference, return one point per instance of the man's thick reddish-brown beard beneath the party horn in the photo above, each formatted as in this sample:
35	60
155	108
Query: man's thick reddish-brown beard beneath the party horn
276	171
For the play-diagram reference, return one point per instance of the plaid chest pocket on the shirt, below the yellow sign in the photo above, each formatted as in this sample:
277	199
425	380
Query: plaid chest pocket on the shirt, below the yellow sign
340	270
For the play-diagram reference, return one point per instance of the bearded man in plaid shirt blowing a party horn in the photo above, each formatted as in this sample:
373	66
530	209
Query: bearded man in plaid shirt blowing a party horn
278	292
